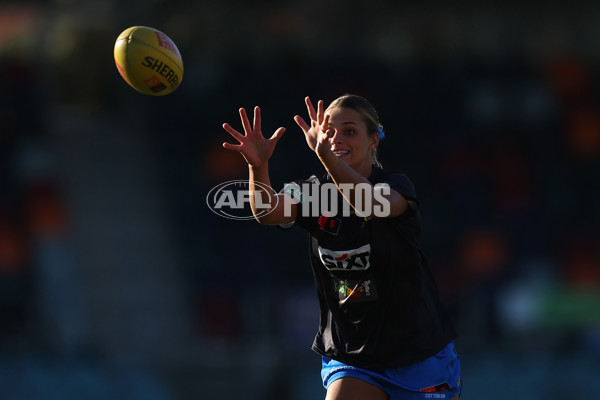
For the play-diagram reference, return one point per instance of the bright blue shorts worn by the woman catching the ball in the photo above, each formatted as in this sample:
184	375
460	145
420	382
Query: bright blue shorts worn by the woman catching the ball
437	377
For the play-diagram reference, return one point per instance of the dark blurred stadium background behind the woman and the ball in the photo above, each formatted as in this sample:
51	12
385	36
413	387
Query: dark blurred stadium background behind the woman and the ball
117	281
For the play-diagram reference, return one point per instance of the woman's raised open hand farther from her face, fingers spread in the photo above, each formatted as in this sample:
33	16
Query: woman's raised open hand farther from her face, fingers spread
254	147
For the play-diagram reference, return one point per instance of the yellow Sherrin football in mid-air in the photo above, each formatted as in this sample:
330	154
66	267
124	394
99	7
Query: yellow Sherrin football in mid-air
148	60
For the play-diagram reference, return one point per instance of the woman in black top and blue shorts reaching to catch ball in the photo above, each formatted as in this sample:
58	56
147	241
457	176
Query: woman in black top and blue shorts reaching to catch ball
383	333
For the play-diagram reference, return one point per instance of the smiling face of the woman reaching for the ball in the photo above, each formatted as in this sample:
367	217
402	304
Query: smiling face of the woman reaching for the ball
351	142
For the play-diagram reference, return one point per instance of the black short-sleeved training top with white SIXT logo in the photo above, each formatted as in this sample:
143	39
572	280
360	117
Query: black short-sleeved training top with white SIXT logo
379	304
